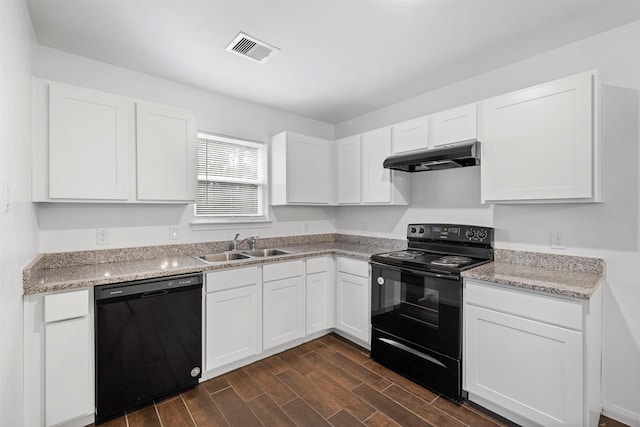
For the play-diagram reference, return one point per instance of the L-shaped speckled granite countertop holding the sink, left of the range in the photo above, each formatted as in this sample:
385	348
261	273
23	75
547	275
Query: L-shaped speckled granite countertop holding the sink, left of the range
56	277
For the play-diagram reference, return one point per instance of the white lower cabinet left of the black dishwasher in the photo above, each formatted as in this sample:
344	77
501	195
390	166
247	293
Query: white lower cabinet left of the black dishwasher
59	379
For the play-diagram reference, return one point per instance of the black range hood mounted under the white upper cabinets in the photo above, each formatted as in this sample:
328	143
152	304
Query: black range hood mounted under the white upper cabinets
459	154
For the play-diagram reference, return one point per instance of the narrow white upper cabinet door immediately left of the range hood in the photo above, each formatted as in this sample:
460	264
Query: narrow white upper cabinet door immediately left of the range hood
376	180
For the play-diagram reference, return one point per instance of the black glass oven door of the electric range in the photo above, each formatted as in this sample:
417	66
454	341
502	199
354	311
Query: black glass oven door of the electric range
420	307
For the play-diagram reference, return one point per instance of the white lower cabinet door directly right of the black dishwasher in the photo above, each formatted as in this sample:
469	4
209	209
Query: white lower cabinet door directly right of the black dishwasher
231	325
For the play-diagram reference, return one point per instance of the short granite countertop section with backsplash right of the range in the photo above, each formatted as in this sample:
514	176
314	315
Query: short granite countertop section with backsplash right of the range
576	277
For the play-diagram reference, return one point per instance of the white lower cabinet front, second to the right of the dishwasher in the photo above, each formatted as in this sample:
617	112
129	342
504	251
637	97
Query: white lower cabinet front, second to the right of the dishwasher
283	303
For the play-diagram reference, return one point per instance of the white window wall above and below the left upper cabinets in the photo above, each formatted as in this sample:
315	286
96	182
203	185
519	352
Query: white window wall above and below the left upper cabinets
66	227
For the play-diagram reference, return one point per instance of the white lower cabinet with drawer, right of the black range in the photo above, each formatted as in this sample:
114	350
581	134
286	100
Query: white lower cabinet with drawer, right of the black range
525	355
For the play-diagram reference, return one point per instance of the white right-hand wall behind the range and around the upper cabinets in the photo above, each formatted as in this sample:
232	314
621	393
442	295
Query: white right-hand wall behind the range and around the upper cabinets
610	230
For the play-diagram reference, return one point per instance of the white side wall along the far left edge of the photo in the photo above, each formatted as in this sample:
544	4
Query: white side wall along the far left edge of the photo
18	232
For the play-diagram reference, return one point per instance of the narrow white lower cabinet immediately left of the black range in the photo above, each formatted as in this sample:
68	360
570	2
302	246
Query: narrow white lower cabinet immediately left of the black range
353	311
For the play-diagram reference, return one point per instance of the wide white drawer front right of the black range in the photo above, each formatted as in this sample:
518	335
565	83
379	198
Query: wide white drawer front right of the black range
543	308
